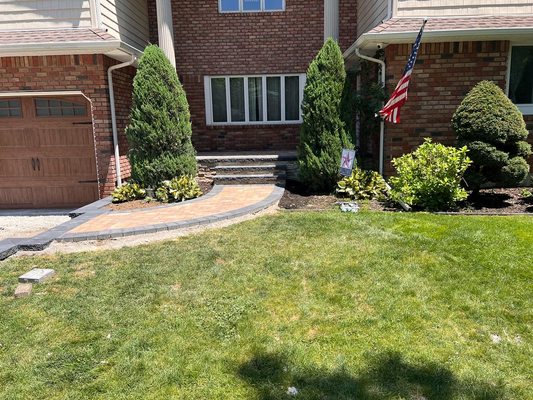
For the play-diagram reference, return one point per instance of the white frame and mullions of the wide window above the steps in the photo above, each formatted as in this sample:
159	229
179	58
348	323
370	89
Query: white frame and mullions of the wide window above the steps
209	100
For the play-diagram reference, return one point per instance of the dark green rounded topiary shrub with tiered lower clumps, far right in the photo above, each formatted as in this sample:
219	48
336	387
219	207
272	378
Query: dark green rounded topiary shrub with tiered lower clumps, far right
494	131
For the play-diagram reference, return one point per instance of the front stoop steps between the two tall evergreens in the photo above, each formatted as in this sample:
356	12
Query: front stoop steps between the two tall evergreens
248	168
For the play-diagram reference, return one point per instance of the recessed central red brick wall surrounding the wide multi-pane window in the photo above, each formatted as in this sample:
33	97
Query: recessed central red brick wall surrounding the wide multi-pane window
210	43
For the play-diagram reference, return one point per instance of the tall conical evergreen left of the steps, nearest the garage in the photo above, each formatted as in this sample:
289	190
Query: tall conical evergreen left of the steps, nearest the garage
159	132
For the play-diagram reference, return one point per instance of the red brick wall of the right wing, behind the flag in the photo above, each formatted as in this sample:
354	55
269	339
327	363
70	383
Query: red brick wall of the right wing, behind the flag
443	75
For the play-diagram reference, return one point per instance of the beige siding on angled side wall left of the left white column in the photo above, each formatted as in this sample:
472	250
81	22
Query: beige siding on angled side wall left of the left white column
127	21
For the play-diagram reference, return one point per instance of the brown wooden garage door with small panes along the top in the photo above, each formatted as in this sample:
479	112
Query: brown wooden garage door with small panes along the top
46	153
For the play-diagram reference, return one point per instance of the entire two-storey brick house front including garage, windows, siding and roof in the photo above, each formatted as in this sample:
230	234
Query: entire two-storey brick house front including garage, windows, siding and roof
67	67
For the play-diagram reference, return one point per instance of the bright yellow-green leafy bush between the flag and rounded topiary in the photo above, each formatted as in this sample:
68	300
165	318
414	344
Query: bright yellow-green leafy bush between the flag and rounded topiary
430	177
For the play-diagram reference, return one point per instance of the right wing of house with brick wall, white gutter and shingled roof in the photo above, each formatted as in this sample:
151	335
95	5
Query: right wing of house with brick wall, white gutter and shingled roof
464	42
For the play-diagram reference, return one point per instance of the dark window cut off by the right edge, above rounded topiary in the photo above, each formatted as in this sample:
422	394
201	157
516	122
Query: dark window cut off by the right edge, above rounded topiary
521	78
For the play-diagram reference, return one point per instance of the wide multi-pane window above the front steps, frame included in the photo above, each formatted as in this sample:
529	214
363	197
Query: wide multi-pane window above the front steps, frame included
254	99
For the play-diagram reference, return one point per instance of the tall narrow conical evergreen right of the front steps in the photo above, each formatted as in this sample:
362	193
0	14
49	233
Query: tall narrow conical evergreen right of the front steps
322	135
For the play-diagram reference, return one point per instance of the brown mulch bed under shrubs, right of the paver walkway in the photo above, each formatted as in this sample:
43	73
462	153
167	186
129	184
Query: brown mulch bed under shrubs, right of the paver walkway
488	201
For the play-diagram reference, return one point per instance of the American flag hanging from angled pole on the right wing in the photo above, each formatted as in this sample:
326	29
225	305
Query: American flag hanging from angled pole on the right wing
391	111
